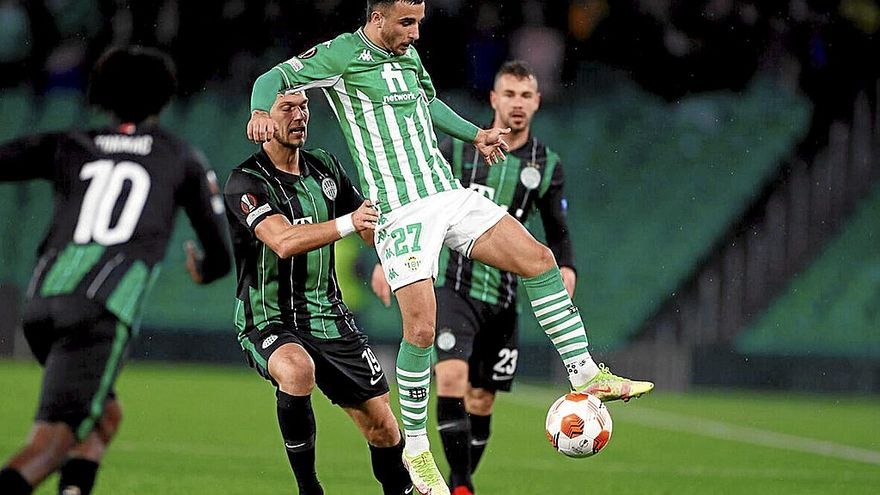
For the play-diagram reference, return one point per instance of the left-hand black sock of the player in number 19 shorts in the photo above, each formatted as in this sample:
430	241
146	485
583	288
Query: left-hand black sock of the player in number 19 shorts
297	422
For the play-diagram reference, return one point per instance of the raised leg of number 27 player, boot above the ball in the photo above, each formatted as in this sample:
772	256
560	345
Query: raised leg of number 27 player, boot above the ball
510	247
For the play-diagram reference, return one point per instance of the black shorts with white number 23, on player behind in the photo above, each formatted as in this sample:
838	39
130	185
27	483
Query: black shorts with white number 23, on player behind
484	335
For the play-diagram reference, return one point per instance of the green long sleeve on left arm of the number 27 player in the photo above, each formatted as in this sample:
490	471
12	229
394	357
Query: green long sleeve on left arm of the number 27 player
318	67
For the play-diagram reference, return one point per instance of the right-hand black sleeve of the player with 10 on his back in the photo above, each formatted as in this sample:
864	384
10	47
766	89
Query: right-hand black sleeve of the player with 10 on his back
201	200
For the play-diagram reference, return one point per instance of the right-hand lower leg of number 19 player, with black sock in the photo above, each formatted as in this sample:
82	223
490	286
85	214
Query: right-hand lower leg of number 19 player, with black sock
379	426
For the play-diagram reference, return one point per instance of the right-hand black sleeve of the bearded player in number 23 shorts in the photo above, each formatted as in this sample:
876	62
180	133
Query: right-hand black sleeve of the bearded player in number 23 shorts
553	208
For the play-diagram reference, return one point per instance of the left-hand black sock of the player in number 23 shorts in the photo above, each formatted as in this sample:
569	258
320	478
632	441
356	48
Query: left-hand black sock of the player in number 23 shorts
452	424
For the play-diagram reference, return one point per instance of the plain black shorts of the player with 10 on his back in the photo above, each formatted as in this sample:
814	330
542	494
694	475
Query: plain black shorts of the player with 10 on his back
82	347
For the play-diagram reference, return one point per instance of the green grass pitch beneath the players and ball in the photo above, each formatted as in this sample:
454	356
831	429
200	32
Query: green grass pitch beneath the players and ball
209	430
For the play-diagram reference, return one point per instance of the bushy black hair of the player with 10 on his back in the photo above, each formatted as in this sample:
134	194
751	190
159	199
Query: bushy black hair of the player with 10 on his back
132	82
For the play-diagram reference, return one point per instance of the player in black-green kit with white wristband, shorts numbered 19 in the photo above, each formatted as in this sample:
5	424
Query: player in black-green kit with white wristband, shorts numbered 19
286	207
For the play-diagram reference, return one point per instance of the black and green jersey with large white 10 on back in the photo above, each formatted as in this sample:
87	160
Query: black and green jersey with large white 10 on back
116	194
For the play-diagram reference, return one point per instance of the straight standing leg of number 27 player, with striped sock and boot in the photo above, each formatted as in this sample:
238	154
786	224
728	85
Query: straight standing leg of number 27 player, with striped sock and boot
418	308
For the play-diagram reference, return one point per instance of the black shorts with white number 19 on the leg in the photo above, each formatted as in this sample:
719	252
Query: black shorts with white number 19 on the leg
346	370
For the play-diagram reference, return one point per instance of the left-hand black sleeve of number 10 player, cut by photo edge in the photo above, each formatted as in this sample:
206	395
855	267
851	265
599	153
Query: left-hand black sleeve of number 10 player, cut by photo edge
28	158
